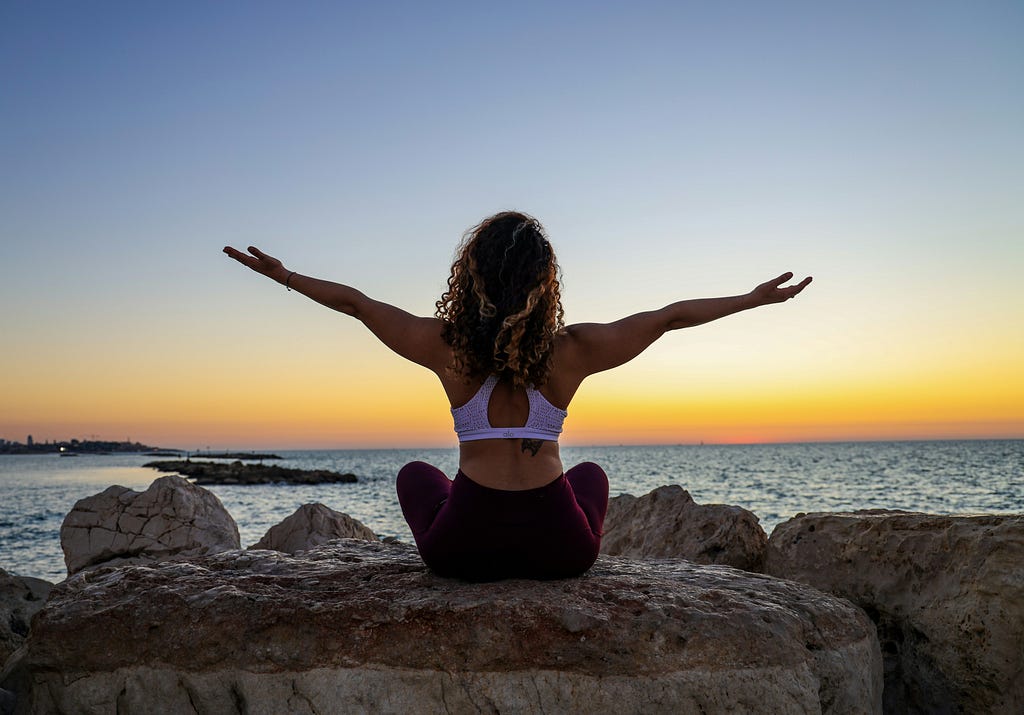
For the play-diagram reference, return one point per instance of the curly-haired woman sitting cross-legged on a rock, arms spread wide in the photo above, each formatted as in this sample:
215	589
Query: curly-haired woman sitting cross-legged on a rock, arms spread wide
510	368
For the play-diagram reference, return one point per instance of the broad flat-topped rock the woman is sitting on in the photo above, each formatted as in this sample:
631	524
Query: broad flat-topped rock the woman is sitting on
356	626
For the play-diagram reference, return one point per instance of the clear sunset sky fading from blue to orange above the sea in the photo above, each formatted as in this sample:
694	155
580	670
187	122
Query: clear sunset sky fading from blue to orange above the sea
672	150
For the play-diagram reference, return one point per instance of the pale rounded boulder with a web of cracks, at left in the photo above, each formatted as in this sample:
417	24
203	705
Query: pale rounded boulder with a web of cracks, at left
174	518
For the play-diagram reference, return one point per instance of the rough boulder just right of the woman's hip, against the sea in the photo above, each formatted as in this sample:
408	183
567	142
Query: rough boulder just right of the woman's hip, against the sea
668	524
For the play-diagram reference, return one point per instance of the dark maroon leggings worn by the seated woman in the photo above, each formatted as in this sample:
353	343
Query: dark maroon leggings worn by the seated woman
477	533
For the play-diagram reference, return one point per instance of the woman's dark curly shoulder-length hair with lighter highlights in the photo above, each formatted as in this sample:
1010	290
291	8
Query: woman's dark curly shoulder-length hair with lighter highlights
503	306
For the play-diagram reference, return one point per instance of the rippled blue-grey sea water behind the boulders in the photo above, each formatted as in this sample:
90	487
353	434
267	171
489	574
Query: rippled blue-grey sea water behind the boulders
776	482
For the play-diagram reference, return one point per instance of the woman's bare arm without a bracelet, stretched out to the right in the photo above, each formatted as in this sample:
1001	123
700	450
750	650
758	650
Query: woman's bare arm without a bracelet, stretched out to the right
592	348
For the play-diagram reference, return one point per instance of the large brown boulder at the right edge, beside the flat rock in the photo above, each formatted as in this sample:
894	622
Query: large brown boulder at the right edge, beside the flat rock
947	593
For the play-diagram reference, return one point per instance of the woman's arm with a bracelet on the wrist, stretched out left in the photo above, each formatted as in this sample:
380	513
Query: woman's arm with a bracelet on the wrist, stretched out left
417	340
